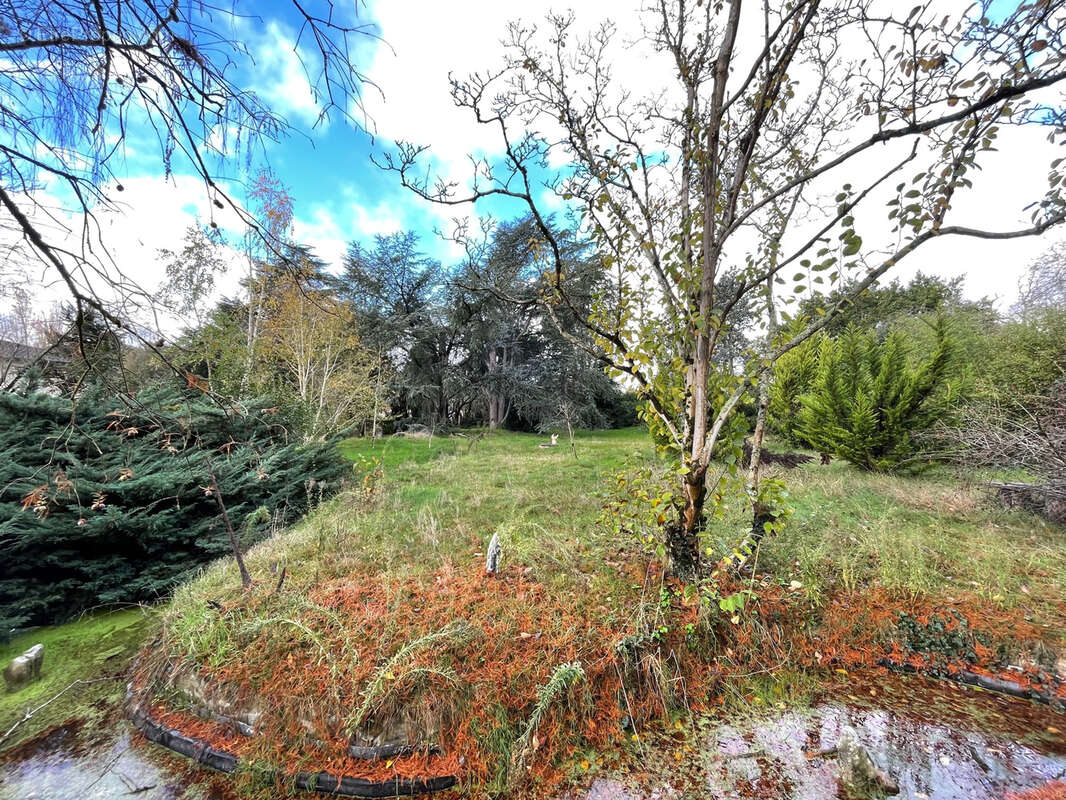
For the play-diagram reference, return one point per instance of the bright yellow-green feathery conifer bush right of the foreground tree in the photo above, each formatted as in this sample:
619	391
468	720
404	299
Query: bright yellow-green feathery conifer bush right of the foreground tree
870	401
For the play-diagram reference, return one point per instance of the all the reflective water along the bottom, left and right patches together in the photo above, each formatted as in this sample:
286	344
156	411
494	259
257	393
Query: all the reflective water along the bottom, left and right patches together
936	741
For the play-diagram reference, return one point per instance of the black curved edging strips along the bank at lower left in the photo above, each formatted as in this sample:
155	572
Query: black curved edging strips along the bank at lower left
344	787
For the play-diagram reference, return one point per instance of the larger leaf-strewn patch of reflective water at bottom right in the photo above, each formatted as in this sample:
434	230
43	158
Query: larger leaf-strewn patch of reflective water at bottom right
938	742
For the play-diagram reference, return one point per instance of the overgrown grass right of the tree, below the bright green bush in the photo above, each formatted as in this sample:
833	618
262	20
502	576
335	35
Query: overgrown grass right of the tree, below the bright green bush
932	535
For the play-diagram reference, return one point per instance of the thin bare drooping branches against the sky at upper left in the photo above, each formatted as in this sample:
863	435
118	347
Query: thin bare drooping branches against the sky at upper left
79	77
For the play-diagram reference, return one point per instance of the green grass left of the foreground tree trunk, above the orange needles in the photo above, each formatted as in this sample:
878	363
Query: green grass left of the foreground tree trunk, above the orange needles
441	503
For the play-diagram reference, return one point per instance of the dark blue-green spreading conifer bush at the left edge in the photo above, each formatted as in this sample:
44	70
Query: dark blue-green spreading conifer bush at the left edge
105	502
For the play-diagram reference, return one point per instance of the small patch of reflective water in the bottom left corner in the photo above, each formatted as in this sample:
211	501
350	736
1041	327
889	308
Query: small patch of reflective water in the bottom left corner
61	766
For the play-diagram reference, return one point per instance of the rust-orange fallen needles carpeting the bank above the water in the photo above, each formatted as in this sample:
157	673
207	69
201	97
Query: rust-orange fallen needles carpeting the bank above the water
483	687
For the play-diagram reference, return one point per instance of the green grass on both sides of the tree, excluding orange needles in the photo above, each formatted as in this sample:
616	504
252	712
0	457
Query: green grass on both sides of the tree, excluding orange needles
440	501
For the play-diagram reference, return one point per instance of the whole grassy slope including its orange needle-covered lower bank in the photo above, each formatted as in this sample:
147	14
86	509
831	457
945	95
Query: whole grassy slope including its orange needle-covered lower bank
398	563
